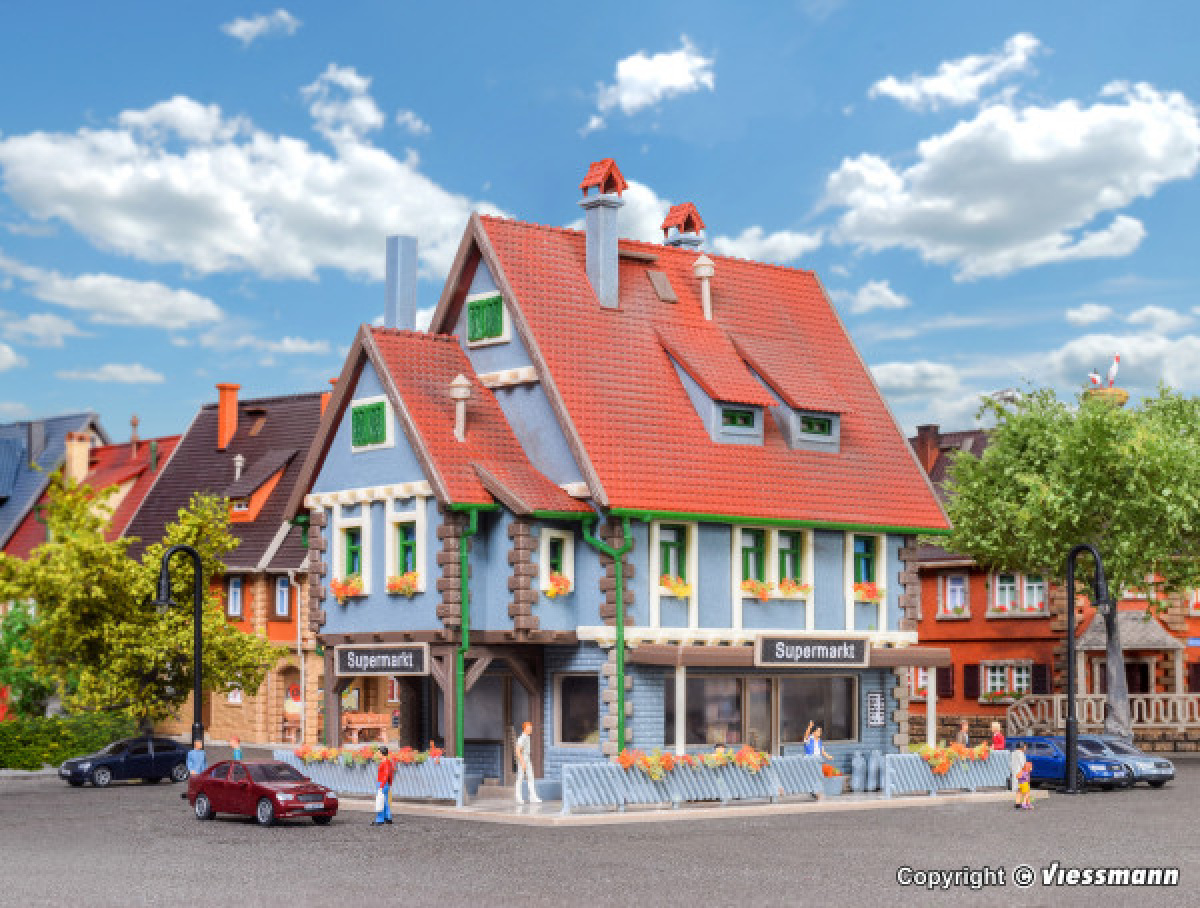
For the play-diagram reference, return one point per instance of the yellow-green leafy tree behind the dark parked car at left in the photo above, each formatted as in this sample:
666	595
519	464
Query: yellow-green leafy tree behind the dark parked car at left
99	638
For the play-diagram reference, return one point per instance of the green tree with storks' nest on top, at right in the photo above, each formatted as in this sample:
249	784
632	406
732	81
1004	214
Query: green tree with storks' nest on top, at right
1055	476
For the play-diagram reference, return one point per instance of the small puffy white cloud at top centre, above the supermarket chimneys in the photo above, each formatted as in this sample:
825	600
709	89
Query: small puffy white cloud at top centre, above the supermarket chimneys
643	82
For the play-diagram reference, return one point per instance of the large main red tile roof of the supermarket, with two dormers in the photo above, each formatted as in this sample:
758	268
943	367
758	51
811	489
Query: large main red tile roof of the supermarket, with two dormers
635	420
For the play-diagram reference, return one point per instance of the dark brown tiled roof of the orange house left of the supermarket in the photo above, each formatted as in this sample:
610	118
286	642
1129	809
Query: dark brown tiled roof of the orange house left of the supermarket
199	467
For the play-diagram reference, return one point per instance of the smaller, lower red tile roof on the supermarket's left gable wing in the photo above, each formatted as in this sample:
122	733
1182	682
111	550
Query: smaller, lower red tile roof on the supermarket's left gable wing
422	366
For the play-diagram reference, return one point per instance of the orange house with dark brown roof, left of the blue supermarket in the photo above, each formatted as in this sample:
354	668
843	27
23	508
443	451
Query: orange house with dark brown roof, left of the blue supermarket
250	452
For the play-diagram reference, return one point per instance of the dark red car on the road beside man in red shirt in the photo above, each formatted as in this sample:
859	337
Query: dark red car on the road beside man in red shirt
267	791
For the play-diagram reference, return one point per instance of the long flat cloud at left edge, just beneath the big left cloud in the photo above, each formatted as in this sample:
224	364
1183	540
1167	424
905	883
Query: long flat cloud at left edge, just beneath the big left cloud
112	300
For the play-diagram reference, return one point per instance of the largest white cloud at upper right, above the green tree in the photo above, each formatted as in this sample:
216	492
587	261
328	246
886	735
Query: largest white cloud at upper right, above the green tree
1018	188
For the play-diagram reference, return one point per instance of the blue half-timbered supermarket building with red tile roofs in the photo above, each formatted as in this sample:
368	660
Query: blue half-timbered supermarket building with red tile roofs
579	398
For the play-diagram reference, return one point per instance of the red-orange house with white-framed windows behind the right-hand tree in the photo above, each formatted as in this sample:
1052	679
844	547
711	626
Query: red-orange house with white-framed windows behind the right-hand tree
1006	630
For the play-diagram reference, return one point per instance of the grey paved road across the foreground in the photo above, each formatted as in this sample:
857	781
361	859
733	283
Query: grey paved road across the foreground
135	845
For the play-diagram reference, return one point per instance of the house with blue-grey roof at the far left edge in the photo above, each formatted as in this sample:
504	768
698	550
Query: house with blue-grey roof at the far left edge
31	452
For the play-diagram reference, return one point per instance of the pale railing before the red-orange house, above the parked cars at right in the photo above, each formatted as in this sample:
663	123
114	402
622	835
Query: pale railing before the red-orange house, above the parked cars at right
1147	711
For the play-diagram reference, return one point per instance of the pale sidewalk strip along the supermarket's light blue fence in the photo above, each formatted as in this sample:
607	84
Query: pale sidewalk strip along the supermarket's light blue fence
549	814
